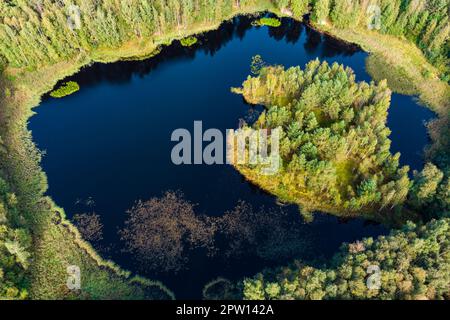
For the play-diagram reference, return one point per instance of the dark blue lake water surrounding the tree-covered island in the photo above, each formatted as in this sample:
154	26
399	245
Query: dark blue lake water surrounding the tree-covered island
110	142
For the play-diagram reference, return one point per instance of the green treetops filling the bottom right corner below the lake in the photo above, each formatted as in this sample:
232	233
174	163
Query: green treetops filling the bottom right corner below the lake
414	263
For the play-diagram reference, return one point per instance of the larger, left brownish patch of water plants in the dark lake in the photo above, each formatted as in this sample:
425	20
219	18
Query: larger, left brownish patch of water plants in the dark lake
160	232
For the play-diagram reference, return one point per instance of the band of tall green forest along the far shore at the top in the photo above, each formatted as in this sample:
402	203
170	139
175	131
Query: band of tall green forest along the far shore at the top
45	32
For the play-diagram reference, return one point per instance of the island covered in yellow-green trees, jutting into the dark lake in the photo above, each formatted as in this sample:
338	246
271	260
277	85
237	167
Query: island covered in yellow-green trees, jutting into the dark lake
334	144
